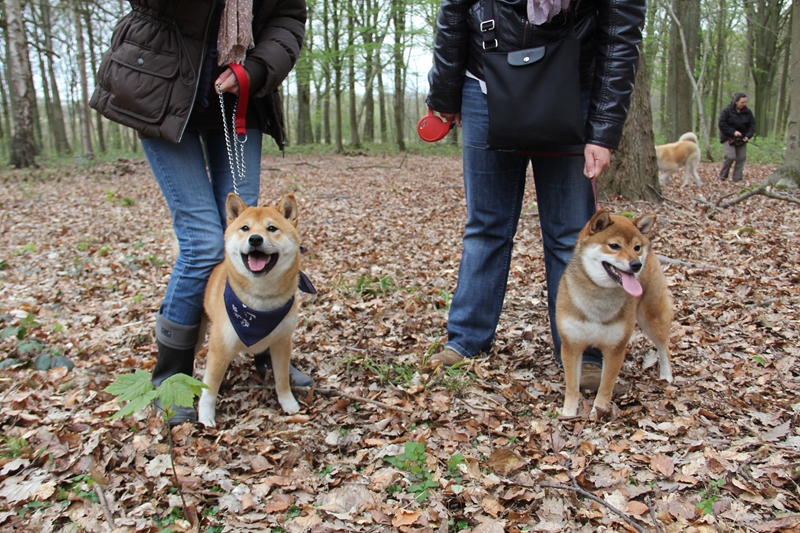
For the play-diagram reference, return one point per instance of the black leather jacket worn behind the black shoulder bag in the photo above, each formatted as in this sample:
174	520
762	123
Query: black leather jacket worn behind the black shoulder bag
610	34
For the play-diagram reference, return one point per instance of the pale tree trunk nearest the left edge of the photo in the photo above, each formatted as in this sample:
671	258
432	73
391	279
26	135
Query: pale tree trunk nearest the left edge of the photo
23	146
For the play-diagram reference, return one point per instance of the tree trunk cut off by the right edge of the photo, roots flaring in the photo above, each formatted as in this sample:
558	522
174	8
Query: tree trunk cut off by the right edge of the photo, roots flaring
789	171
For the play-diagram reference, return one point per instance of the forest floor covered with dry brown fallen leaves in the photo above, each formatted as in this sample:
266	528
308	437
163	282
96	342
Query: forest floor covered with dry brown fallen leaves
383	443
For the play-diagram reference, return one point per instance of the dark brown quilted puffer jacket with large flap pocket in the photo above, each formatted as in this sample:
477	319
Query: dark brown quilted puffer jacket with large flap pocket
149	77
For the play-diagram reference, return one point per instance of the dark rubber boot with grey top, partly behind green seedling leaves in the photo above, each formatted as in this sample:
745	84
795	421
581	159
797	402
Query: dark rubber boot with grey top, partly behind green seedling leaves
176	348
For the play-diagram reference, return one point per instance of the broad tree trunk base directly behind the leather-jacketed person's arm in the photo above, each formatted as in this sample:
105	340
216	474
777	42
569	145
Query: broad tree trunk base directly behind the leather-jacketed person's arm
634	169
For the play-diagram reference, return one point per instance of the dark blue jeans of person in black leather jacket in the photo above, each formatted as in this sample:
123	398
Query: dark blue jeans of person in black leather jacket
494	184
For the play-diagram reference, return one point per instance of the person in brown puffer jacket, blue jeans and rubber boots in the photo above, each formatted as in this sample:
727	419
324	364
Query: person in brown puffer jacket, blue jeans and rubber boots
160	77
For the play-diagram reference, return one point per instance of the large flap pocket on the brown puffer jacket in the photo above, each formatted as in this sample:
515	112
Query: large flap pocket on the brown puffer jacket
140	80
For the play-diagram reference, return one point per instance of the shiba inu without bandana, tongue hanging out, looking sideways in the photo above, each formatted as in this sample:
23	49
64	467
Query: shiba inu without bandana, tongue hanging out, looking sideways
613	281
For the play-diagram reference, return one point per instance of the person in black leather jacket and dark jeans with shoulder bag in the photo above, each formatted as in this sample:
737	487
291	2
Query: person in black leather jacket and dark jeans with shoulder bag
494	181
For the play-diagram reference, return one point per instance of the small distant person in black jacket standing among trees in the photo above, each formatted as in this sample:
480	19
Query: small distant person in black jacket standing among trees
736	127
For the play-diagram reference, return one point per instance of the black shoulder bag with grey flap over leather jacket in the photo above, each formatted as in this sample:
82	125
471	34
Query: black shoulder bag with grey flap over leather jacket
534	94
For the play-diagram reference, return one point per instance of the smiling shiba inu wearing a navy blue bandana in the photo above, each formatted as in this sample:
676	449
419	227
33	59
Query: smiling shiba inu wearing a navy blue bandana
250	298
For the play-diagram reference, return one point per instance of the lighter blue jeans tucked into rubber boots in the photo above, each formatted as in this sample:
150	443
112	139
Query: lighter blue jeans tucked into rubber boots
195	178
